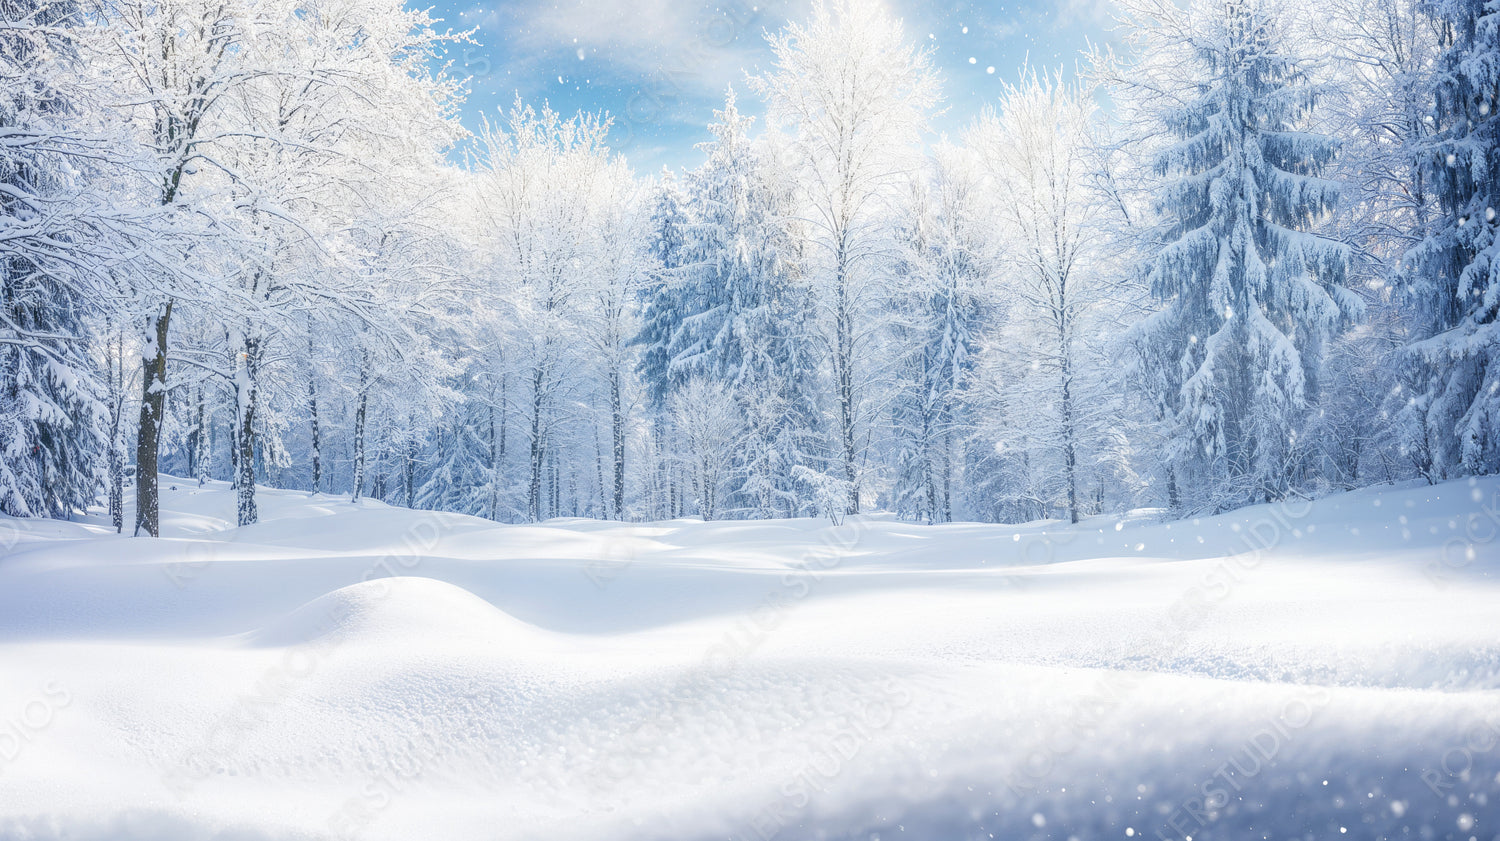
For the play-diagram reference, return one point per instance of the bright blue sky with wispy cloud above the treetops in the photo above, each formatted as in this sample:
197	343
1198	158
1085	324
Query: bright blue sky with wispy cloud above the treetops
661	67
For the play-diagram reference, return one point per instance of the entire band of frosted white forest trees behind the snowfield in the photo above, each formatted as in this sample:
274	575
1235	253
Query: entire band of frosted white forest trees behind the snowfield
1249	256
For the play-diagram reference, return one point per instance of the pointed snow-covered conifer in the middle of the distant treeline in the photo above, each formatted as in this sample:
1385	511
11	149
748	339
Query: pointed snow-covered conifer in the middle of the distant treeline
728	307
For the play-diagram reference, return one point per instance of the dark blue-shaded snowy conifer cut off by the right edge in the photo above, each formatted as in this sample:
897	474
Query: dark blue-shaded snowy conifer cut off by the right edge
1454	283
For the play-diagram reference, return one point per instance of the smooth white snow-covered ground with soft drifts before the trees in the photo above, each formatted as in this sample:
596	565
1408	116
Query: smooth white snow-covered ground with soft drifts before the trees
1309	671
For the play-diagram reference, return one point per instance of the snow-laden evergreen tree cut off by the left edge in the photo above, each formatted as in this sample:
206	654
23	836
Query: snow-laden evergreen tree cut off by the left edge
56	242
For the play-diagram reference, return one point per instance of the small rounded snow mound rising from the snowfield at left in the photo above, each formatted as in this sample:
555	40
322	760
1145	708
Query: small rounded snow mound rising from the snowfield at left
385	609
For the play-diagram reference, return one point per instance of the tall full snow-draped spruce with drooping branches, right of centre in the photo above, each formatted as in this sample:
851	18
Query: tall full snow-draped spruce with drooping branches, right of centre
1250	296
